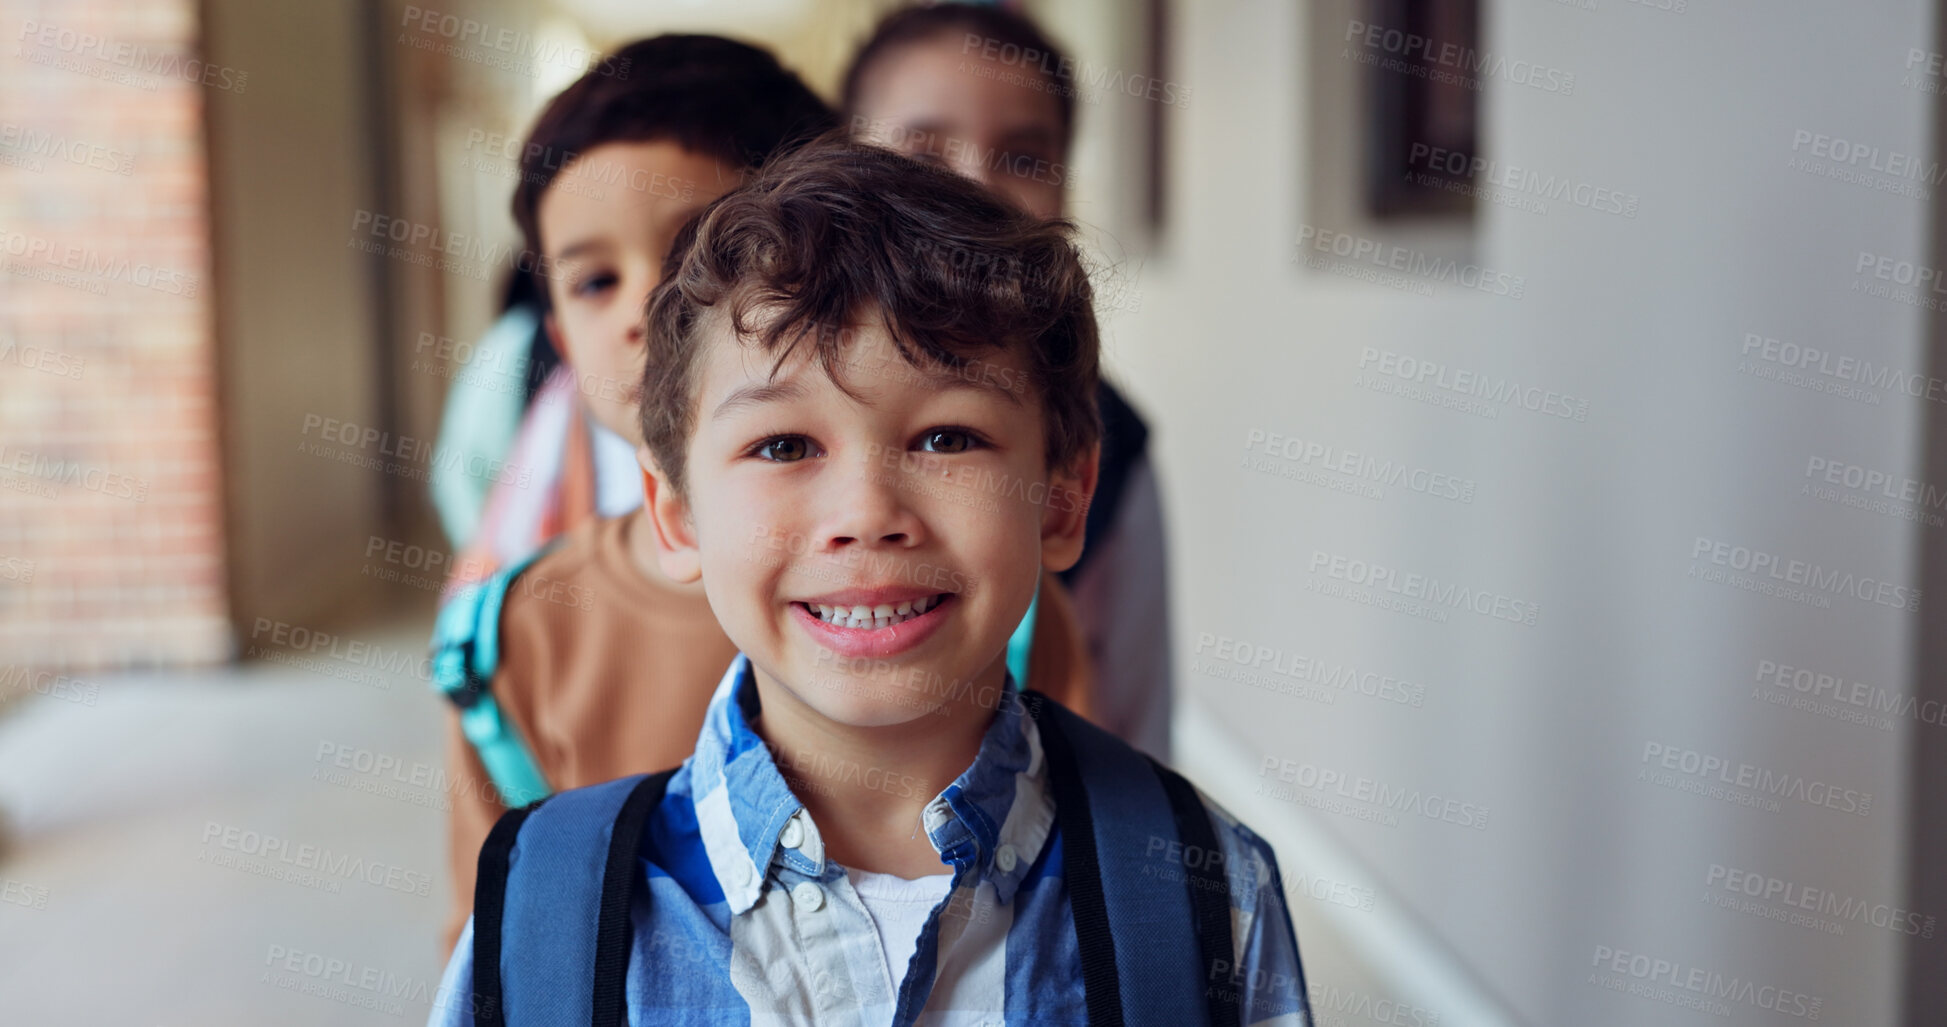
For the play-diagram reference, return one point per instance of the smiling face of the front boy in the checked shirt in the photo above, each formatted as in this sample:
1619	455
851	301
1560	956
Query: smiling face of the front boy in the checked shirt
926	502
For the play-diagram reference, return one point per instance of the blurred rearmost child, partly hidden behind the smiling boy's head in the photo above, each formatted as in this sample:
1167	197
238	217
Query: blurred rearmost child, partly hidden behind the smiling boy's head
926	87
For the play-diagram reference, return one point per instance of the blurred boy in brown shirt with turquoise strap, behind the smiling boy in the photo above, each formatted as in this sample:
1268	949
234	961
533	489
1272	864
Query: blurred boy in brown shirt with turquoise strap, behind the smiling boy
620	681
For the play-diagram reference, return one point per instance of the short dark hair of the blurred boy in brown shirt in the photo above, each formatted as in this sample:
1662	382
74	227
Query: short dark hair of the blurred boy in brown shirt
704	93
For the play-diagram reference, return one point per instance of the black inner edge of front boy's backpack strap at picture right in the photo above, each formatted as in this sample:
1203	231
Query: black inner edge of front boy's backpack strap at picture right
1082	870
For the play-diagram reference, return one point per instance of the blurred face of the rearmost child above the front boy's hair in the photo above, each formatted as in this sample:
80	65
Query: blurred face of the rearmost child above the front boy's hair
976	116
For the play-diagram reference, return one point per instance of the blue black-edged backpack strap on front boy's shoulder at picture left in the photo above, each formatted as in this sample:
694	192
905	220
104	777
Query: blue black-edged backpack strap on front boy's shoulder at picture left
552	911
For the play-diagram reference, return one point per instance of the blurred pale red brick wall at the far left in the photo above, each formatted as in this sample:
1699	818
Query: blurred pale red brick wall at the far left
112	547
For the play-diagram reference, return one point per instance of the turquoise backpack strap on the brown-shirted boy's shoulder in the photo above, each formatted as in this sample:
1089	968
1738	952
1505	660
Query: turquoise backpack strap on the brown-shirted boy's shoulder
466	652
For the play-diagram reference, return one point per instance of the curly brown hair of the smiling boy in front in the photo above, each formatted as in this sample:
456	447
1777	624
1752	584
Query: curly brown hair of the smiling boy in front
840	233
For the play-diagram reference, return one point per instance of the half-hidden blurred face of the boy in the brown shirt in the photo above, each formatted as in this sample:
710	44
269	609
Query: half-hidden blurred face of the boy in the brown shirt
606	223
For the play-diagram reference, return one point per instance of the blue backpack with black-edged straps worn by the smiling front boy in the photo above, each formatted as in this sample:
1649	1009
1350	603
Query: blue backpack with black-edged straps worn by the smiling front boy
552	944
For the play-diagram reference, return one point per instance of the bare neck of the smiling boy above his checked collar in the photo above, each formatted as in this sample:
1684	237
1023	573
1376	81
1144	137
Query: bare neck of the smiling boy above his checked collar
875	829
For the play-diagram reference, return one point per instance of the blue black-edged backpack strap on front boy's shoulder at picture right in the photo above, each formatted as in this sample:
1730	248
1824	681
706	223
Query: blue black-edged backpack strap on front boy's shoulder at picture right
1132	936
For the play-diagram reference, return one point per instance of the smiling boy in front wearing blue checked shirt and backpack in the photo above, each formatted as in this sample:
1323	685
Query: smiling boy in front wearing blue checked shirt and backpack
875	825
